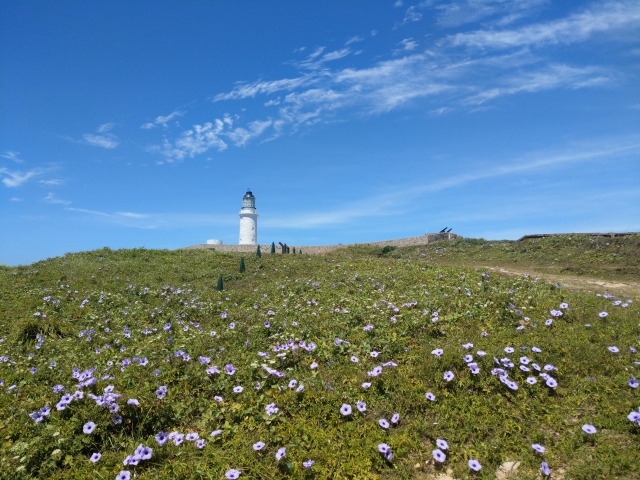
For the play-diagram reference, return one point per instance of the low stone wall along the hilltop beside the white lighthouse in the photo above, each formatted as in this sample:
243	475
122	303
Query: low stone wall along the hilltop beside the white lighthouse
320	249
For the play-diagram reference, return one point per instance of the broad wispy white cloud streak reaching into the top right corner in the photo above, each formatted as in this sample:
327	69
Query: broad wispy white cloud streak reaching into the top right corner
574	28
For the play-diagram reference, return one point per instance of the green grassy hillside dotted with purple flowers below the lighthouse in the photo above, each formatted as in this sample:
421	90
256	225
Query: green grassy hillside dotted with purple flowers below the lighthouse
479	416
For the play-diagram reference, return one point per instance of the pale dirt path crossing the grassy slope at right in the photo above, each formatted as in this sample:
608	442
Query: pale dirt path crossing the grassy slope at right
579	282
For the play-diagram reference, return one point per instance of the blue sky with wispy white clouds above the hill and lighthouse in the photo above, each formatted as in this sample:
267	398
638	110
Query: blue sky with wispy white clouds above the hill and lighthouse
130	124
